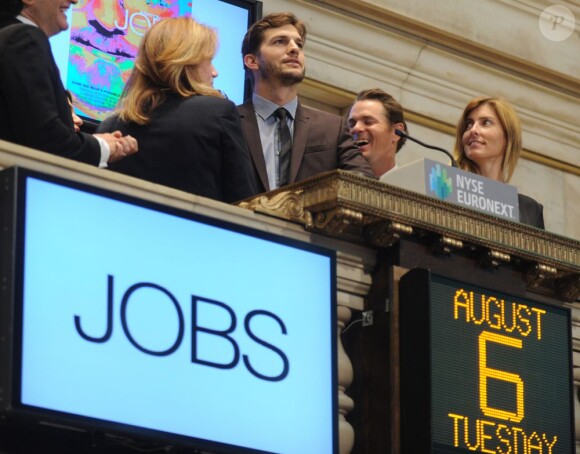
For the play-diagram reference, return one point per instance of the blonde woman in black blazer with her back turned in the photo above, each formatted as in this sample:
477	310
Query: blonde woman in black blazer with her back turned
190	134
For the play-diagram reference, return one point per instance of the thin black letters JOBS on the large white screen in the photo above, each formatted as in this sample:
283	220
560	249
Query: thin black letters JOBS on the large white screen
131	296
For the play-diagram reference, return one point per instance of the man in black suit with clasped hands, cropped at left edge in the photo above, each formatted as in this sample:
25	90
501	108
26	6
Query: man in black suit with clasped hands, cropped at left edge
34	110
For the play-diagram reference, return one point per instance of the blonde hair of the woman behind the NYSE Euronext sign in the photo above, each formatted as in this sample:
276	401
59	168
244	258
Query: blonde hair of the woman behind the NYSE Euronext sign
512	130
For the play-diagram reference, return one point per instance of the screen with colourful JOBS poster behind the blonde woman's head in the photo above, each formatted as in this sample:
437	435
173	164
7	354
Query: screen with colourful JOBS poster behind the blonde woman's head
96	54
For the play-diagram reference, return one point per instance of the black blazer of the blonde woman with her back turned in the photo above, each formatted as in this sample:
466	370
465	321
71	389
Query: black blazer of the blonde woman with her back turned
194	144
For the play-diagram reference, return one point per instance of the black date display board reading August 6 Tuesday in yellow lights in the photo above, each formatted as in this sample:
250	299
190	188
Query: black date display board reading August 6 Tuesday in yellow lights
482	370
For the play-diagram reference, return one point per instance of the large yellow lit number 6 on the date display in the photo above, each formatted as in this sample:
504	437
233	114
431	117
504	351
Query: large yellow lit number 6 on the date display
486	373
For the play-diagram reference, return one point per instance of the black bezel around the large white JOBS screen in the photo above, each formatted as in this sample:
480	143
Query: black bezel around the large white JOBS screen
12	212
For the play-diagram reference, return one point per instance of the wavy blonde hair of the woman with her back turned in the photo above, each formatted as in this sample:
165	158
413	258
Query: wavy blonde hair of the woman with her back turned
167	61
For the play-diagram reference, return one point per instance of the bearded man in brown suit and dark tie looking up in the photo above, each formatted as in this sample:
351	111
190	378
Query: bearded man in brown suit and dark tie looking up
273	56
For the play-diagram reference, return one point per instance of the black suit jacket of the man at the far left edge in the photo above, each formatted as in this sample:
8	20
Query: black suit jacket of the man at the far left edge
34	109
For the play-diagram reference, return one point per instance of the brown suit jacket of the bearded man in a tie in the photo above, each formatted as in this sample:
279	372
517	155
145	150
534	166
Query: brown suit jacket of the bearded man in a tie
321	143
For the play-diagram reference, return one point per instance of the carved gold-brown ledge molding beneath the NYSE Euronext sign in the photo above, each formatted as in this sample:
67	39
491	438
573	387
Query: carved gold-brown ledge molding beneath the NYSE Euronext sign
351	207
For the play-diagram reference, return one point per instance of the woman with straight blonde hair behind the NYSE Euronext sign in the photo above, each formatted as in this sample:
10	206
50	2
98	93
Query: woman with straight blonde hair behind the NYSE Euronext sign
489	142
